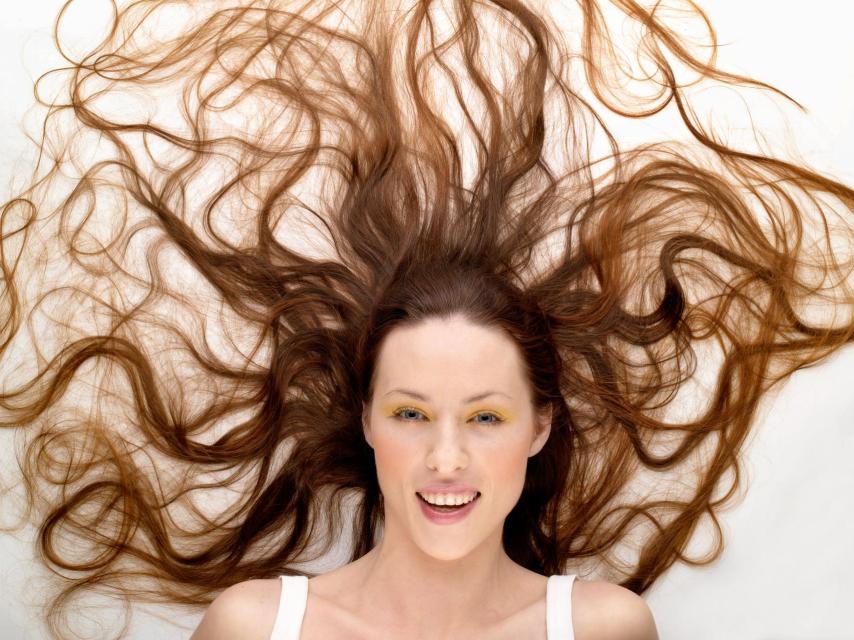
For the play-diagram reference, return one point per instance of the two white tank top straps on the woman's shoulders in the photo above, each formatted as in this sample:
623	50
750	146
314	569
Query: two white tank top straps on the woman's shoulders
294	596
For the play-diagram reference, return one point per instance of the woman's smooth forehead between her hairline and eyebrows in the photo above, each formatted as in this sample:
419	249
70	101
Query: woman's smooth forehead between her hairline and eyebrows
450	357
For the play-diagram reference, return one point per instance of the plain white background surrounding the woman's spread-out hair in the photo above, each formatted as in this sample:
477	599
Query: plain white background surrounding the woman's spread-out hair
788	567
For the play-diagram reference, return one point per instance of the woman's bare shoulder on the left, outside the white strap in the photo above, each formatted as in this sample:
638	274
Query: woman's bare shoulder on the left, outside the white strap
245	610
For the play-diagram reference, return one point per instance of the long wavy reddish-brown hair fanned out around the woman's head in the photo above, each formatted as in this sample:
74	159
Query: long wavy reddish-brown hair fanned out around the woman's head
234	203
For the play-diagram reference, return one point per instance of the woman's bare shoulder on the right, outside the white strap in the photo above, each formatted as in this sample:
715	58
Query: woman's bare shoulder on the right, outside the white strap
606	611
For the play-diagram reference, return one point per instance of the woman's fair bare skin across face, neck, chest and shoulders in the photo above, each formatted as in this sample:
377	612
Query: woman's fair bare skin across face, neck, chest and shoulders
425	580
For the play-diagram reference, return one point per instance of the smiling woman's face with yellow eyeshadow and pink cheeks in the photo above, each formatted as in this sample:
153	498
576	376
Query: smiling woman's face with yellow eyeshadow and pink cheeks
451	406
